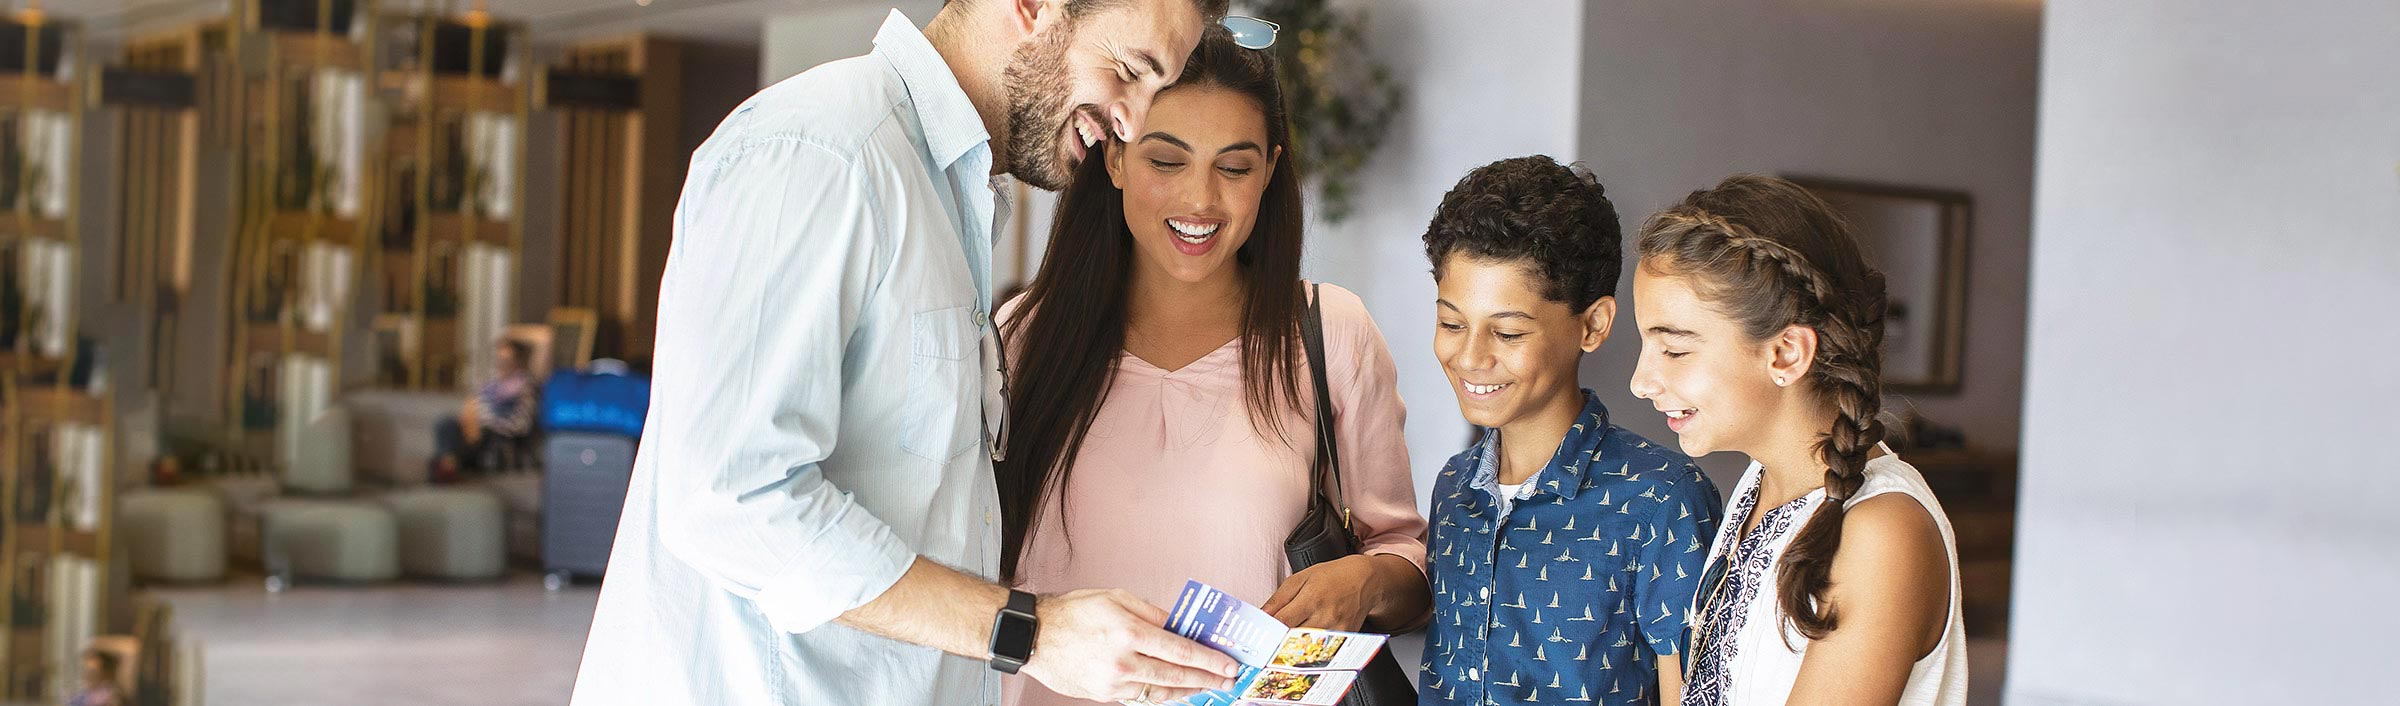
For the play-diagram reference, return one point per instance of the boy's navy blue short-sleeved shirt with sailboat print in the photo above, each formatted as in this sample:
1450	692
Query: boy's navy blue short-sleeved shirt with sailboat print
1571	590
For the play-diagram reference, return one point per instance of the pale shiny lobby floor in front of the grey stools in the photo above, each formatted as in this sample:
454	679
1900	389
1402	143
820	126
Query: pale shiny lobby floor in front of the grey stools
404	645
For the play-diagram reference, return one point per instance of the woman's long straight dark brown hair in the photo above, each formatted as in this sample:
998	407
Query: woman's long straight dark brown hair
1072	321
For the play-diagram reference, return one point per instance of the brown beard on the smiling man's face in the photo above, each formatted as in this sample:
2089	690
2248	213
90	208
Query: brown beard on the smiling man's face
1038	107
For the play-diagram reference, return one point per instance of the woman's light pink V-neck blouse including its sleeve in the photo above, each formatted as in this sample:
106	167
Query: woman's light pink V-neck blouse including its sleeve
1177	484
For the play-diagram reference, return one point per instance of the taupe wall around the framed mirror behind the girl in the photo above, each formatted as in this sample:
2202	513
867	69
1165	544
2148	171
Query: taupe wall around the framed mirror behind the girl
1936	95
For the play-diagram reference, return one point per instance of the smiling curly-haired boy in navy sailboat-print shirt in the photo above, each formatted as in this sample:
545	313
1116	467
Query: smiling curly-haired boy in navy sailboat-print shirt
1566	551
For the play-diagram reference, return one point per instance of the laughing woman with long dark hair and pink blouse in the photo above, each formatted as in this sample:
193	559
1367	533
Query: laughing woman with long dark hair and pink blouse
1158	414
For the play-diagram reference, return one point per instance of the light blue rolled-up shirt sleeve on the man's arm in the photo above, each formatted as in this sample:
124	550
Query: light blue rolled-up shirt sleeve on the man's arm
779	249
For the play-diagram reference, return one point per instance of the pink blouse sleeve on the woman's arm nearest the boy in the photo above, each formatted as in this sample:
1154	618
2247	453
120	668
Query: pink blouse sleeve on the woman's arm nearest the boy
1372	433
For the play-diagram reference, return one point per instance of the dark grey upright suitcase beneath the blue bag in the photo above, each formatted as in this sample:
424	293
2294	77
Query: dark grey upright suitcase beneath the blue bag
584	481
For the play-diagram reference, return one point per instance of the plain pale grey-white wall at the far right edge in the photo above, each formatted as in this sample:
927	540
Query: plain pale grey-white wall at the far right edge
2209	395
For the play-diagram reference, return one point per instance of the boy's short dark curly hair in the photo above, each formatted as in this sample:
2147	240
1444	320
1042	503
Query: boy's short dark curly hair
1542	213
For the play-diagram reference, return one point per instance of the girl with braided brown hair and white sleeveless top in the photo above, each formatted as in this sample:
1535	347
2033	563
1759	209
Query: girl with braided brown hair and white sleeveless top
1835	578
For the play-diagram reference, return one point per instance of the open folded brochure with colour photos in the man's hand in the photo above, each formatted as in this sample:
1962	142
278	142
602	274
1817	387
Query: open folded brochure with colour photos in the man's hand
1278	664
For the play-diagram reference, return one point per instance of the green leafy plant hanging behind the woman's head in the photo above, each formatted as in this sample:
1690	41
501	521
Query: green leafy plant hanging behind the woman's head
1340	100
